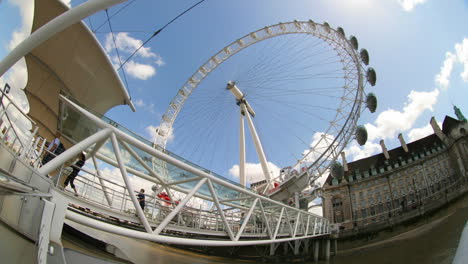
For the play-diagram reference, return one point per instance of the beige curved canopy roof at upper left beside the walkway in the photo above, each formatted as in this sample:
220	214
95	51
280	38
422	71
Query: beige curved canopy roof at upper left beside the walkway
73	63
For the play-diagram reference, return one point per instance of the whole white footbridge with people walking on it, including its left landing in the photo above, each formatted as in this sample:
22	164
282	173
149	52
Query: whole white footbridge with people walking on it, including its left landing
212	211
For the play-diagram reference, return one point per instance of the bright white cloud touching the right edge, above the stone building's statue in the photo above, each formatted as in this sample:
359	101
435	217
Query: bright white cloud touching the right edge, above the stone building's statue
459	56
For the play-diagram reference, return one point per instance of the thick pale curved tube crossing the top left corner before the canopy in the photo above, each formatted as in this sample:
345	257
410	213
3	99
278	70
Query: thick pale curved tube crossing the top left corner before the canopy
56	25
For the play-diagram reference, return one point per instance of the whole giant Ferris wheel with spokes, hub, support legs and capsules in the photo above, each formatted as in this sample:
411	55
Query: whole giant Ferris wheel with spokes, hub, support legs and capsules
299	87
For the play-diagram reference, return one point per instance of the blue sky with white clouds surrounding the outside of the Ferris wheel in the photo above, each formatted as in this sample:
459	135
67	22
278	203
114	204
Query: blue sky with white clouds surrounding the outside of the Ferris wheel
419	49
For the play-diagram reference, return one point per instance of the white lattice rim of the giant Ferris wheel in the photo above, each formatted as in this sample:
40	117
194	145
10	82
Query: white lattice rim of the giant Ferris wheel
321	31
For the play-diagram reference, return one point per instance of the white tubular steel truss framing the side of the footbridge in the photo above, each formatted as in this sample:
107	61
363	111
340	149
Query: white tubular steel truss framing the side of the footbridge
249	219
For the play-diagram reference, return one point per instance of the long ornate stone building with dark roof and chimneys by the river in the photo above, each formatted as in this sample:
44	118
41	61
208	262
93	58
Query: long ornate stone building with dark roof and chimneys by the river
403	183
